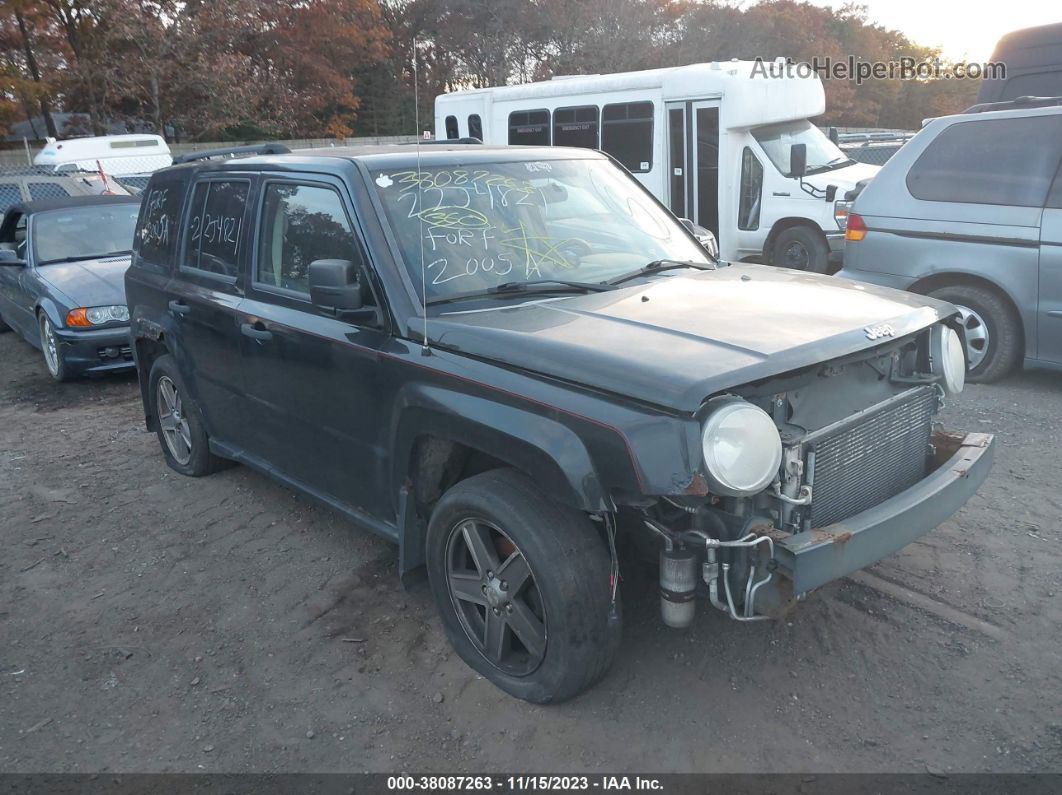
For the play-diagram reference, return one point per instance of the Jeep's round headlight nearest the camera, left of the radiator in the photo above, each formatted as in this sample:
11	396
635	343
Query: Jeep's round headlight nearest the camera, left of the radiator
743	450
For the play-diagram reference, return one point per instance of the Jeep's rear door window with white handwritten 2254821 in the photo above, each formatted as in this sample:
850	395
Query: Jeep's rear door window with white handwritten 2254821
216	227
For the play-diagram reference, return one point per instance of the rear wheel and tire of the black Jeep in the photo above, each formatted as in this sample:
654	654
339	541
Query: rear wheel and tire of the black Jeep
179	423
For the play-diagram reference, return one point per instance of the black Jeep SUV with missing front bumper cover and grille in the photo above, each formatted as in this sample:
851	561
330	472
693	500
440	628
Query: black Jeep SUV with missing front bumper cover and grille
502	358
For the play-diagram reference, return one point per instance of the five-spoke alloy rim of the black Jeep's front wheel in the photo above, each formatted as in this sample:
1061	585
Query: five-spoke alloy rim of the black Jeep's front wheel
496	597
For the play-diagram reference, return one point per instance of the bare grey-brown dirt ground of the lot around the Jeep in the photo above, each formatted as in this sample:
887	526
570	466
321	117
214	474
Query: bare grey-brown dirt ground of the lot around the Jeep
151	623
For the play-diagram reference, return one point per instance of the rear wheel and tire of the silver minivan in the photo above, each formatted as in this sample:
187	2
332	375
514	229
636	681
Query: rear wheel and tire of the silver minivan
994	331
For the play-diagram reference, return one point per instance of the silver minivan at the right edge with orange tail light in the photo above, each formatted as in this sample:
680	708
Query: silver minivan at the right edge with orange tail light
970	212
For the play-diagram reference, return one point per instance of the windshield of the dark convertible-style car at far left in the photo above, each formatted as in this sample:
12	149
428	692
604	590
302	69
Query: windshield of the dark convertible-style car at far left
84	233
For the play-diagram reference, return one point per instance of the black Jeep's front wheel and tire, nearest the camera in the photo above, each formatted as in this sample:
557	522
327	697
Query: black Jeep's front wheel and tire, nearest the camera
523	587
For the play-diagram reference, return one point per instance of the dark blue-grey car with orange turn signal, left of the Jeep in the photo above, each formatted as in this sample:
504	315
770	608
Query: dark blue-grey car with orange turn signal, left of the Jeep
62	289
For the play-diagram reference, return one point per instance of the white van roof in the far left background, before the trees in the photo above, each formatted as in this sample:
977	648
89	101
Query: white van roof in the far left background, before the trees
118	155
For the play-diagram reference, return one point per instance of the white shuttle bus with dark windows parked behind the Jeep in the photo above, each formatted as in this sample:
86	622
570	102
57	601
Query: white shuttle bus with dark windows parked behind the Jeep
729	146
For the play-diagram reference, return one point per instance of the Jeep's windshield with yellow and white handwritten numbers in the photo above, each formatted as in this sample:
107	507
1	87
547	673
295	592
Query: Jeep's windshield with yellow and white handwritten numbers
490	224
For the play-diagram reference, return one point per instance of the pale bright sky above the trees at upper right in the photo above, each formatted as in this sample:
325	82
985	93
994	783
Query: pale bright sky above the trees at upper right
966	30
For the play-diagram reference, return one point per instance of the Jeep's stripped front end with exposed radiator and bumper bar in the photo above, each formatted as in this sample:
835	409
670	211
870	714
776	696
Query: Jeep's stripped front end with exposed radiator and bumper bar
861	470
